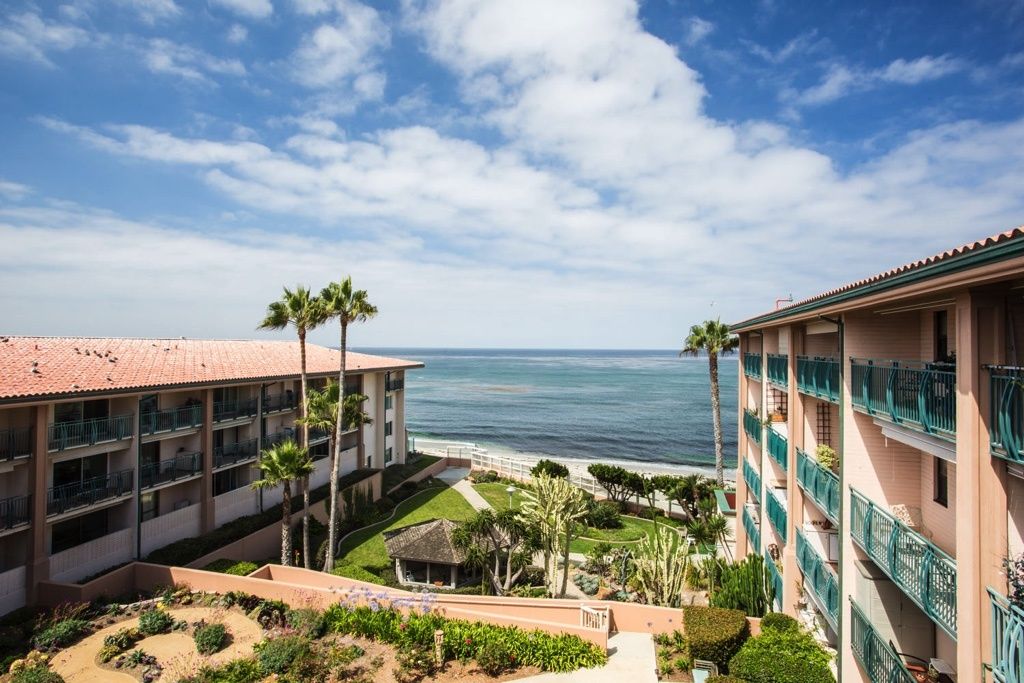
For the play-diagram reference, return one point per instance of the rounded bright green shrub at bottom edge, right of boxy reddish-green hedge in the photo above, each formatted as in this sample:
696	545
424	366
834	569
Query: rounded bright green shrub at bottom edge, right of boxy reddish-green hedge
782	657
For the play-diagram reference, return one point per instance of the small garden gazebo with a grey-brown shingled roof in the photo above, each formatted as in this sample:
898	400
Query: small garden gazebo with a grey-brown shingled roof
425	556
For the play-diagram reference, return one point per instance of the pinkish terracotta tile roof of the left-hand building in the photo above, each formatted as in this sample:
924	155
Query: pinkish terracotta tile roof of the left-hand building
42	367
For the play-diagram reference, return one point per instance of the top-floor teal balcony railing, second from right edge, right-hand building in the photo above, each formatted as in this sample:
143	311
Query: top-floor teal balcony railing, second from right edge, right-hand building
920	396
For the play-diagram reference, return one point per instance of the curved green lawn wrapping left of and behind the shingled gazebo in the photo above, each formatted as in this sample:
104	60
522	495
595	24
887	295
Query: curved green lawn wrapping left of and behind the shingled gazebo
365	549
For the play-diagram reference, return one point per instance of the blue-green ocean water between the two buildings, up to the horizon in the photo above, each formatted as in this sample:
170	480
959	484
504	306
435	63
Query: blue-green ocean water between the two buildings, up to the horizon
613	406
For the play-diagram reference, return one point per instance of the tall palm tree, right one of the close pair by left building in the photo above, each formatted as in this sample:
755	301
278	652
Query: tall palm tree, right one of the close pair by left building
349	306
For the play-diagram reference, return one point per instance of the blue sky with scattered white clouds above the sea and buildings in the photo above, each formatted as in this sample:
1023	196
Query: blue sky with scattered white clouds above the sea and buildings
590	174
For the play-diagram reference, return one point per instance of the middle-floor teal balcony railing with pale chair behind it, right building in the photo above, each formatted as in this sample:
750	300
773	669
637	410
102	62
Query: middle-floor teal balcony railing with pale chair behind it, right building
927	575
